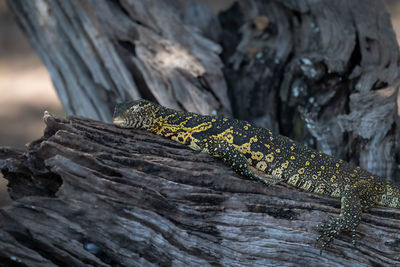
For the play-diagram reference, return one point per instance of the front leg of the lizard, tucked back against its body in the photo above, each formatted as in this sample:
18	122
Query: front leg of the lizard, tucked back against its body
236	160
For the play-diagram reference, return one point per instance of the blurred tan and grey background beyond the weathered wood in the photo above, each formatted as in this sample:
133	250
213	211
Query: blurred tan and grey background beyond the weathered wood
26	90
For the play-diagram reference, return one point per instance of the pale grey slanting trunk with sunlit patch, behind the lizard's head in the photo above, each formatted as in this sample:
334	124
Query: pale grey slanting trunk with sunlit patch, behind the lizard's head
102	52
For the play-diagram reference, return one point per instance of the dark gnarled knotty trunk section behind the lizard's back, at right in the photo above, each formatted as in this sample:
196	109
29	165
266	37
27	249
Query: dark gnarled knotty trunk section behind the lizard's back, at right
322	72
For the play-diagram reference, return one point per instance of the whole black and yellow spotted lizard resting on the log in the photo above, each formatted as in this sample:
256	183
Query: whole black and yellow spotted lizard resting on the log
245	147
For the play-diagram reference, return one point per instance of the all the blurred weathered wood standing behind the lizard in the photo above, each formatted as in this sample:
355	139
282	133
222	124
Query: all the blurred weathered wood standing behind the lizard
322	72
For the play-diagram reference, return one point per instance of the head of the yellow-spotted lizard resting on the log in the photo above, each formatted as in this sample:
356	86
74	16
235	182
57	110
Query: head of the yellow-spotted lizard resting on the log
135	114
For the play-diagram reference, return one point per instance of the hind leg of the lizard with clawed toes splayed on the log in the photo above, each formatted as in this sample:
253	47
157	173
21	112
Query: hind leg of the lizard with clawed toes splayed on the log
348	220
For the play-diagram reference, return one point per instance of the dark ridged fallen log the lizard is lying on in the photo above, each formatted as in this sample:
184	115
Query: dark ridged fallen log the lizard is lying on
88	193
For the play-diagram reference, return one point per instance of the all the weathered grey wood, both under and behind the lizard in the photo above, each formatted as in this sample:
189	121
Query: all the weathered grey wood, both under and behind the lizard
323	72
